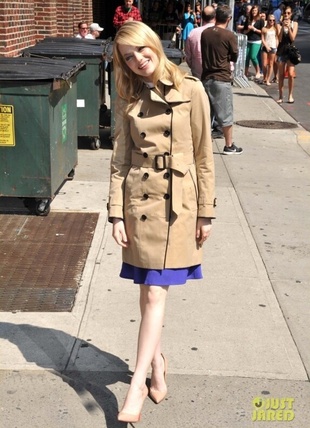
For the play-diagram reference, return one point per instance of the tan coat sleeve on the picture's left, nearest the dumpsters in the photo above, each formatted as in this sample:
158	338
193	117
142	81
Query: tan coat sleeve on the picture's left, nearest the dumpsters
120	161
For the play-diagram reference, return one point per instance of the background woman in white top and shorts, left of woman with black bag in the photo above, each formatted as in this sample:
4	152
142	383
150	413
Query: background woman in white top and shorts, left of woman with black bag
270	42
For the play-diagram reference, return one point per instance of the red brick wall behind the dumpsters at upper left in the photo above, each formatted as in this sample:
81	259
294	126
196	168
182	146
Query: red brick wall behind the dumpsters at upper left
24	22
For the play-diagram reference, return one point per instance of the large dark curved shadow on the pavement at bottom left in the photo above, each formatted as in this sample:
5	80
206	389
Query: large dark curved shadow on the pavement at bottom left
46	348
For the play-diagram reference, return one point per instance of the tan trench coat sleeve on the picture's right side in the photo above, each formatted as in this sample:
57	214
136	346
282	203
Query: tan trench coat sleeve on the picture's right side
203	152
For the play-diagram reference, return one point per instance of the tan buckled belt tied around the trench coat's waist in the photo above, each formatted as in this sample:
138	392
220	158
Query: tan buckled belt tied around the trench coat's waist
179	164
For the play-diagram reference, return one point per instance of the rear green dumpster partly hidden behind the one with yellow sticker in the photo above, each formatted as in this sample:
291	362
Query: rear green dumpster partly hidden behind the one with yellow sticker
90	82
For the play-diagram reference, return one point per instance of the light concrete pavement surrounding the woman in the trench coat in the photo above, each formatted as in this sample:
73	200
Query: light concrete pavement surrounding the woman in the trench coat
240	333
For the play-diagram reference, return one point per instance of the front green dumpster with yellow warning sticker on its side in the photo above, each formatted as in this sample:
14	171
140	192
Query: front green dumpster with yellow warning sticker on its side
38	128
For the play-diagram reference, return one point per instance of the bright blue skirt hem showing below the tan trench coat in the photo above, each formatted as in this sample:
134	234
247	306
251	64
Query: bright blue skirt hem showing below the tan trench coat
160	276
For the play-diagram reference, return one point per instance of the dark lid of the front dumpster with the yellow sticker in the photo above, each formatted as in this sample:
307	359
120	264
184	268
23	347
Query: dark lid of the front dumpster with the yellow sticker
38	69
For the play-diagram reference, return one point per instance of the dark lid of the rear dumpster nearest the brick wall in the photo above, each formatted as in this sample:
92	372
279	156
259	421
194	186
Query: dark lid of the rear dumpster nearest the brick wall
65	49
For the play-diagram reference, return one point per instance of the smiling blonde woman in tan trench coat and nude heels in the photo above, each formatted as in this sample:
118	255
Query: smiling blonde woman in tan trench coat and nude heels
161	200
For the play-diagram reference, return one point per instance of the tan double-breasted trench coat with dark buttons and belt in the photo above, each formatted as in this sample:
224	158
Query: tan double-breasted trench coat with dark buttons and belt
160	197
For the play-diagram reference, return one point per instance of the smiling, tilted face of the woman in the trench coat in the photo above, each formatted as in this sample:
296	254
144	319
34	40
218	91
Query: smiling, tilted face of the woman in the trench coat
141	60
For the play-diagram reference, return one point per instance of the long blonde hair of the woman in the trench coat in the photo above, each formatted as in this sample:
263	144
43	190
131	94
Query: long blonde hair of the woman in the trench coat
129	85
